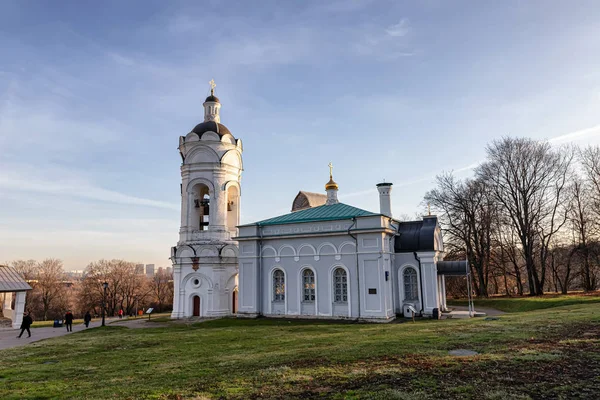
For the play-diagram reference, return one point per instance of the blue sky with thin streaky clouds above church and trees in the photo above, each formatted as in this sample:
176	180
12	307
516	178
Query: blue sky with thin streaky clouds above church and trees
94	96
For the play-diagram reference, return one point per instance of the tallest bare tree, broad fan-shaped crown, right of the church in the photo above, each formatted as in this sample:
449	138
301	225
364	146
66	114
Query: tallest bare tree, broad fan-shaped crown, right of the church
529	180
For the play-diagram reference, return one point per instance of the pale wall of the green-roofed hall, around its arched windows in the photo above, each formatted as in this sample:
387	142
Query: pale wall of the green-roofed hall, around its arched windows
370	289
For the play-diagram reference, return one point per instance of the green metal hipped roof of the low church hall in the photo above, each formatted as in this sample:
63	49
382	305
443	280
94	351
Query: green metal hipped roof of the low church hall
320	213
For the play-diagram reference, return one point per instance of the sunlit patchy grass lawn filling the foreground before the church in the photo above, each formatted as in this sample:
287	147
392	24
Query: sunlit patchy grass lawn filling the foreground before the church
550	354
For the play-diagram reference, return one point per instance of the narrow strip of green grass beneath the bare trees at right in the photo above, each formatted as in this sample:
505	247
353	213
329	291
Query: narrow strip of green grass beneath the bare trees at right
522	304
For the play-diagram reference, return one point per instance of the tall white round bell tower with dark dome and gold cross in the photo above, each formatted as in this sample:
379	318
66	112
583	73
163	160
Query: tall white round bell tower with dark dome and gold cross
205	258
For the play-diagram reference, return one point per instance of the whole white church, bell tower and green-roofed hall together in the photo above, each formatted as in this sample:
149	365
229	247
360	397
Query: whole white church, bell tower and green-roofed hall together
325	259
